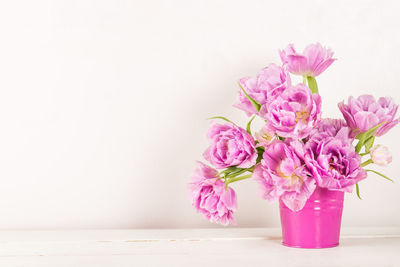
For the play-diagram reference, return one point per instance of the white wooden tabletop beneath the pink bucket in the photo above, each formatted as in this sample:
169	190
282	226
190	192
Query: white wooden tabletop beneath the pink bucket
197	247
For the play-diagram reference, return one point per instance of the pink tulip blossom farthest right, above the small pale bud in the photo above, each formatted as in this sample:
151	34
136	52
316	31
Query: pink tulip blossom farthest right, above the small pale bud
364	113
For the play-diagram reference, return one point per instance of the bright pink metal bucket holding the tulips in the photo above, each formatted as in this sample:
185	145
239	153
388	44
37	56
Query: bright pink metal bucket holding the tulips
317	225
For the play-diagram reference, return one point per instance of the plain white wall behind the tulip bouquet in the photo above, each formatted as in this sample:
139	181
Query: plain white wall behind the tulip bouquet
103	103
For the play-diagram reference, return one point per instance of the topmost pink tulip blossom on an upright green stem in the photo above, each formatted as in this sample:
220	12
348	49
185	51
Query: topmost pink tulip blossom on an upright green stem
314	60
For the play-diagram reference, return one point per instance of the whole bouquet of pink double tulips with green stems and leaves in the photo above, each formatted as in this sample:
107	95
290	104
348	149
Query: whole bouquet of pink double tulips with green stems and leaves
297	150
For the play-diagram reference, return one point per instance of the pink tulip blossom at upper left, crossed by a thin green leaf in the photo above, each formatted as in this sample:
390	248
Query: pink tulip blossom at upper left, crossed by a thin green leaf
270	82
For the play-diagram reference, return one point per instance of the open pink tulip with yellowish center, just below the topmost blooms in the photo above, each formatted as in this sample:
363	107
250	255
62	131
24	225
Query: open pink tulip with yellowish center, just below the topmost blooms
294	113
